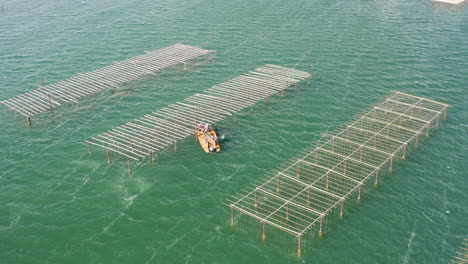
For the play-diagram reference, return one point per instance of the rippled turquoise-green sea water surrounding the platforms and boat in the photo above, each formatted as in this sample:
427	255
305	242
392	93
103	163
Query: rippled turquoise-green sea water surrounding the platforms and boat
59	205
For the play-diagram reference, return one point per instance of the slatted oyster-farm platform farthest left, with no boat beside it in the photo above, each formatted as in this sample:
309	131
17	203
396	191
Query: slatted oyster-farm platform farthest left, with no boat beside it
46	98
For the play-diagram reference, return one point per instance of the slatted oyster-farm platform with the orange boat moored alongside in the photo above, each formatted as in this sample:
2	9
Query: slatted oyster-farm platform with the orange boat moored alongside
153	132
